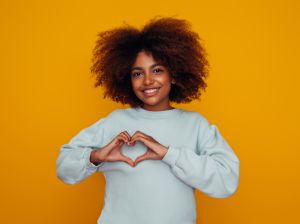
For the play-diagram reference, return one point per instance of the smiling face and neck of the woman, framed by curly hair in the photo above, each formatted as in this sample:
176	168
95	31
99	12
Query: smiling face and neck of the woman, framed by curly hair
151	82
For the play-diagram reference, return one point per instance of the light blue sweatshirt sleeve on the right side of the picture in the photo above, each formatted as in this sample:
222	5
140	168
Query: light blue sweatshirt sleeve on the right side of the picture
213	168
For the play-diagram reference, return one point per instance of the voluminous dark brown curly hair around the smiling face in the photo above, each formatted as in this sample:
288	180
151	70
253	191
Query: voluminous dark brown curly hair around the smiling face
169	40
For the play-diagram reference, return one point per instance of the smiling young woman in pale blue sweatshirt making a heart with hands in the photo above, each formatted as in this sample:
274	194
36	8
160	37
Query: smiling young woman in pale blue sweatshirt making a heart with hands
153	156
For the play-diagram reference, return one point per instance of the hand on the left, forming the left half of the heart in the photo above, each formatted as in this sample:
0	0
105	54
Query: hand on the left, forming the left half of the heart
112	151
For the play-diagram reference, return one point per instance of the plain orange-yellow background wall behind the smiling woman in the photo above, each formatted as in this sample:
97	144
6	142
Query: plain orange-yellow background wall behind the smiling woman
47	96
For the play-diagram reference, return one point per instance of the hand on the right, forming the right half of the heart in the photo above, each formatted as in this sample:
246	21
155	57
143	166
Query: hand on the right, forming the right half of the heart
155	150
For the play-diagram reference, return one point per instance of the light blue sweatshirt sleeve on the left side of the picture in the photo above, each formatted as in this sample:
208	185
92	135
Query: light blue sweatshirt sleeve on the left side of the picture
73	163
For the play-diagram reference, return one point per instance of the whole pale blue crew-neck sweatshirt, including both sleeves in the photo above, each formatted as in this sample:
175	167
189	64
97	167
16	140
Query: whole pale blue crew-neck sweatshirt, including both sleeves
155	191
